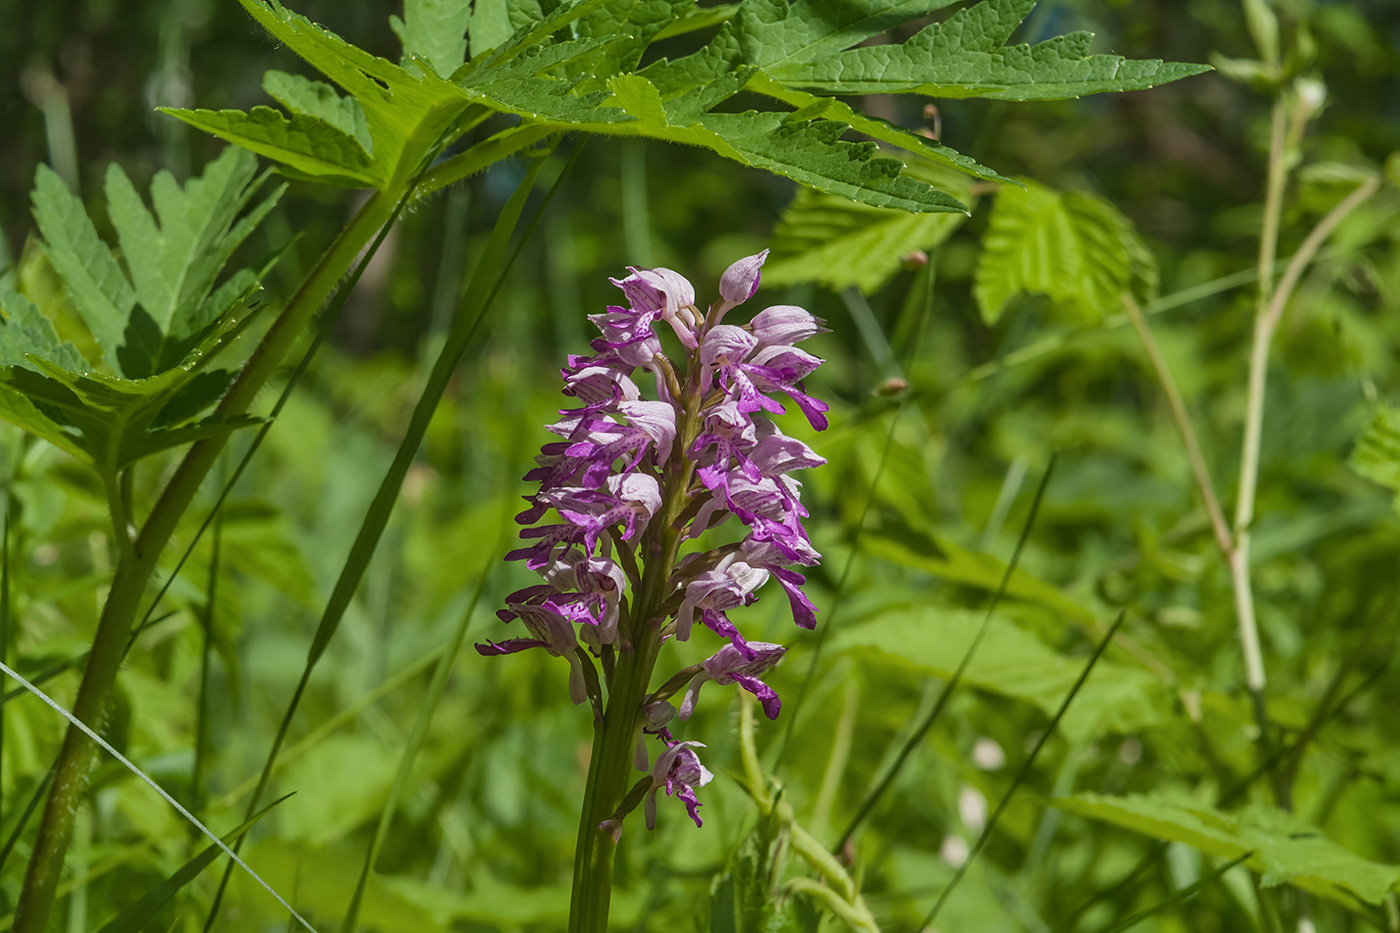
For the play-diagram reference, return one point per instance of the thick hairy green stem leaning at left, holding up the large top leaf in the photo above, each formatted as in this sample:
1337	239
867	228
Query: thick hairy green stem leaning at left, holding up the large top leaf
136	565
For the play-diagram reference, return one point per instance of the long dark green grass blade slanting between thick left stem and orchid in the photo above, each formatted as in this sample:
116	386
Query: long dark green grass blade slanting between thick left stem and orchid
493	261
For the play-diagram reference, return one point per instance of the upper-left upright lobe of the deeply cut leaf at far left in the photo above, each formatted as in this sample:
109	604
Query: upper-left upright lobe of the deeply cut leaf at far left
100	292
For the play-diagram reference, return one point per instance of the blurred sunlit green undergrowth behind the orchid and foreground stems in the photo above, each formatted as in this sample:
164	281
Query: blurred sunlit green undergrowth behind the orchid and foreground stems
1025	354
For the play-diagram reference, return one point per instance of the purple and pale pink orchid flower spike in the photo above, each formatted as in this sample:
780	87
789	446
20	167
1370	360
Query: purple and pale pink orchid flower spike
632	481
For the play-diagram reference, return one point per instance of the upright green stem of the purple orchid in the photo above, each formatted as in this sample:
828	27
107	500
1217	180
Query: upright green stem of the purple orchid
617	733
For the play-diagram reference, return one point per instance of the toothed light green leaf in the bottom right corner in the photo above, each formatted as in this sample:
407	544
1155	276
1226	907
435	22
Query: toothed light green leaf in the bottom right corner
1287	850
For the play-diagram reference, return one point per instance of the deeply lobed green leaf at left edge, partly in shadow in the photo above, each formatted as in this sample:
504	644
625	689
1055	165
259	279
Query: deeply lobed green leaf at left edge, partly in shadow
157	323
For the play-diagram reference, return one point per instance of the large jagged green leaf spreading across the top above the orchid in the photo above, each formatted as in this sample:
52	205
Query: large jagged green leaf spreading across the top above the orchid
524	65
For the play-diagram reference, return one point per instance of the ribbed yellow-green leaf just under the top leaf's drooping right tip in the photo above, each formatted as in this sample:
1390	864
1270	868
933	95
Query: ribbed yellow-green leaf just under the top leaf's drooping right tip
839	243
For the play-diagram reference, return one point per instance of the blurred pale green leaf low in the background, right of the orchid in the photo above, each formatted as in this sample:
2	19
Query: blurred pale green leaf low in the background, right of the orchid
1013	663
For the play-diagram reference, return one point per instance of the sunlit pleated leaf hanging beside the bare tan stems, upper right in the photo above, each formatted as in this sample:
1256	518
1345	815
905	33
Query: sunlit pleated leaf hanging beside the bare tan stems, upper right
1072	247
